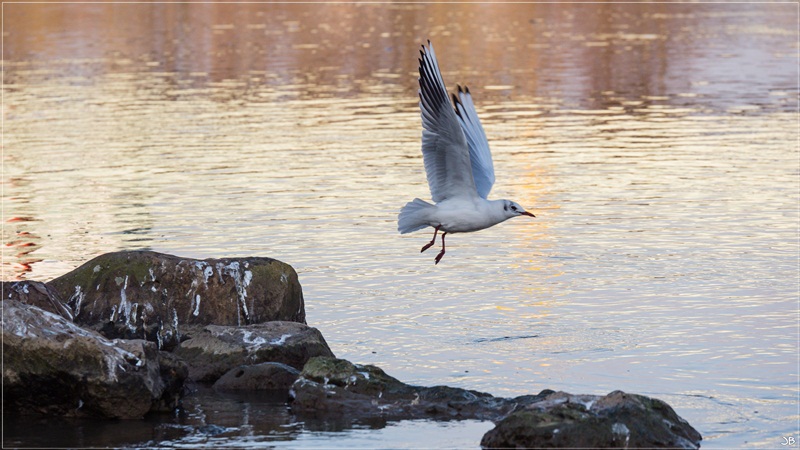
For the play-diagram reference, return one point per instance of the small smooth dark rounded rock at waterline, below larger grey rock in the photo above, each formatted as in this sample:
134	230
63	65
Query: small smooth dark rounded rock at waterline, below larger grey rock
264	376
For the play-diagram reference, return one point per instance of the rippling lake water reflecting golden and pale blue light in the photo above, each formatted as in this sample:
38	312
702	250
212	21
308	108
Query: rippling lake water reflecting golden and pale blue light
657	145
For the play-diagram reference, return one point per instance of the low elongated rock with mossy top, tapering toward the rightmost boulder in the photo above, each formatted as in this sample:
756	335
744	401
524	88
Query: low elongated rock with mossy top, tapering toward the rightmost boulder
336	386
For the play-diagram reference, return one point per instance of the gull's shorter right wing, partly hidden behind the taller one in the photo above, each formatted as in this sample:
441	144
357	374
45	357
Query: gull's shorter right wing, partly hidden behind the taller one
479	154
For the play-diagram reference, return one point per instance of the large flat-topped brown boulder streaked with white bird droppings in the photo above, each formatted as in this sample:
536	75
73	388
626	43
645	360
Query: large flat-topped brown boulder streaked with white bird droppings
149	295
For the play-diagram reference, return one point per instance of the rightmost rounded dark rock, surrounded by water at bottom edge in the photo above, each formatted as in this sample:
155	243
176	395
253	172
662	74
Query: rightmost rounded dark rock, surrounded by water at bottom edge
590	421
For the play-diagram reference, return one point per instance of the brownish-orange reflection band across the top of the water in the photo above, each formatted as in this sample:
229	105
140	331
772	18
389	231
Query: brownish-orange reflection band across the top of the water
579	55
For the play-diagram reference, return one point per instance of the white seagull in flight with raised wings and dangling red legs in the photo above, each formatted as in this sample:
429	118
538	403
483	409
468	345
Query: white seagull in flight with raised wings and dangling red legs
458	164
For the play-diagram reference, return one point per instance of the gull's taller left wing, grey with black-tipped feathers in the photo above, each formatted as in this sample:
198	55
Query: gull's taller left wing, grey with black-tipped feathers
444	146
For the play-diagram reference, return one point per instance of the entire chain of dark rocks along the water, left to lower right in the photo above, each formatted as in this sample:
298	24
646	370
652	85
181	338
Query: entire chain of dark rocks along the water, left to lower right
128	333
